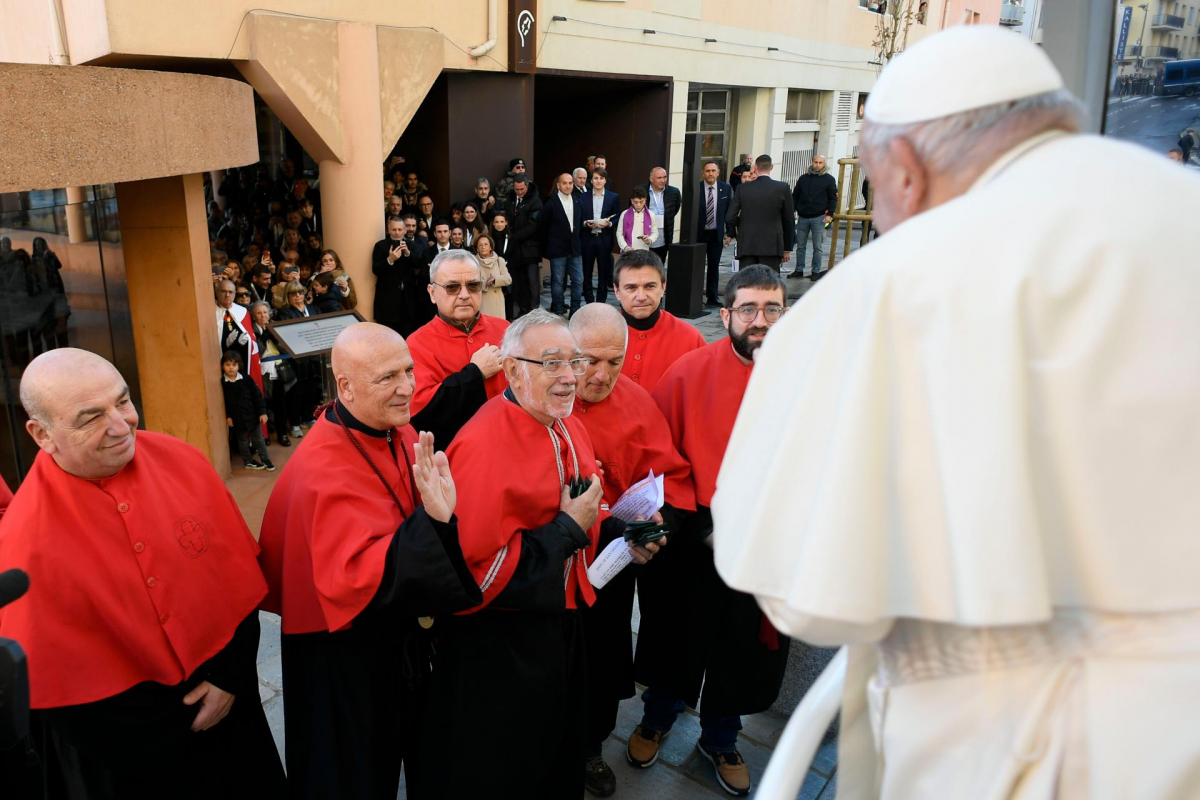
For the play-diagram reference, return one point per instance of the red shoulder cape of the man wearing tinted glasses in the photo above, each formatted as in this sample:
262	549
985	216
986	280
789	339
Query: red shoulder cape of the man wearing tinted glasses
441	350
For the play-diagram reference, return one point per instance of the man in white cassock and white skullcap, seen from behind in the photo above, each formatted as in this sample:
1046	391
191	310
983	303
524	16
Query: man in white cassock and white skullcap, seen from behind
974	452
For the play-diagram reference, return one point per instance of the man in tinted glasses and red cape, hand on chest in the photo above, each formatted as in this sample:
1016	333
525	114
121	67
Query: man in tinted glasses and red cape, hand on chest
458	352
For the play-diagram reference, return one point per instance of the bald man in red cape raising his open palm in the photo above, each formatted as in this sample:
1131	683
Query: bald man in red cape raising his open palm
361	550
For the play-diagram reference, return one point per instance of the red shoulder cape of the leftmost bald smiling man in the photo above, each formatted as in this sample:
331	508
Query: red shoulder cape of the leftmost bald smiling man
139	578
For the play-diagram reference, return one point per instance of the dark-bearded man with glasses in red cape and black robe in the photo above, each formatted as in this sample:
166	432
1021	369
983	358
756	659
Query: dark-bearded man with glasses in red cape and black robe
695	630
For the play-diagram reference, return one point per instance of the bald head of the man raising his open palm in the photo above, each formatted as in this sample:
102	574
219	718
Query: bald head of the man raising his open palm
374	371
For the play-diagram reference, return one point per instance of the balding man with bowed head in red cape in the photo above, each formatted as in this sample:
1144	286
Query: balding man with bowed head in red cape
631	438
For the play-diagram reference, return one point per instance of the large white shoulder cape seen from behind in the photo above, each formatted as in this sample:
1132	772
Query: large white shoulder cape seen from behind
989	412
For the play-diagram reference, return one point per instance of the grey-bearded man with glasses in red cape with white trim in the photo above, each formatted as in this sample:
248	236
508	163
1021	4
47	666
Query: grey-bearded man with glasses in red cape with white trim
507	708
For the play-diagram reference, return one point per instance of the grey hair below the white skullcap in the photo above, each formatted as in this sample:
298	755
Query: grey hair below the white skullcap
947	143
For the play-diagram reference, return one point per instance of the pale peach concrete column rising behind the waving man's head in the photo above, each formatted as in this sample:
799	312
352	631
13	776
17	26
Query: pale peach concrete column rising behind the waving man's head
352	193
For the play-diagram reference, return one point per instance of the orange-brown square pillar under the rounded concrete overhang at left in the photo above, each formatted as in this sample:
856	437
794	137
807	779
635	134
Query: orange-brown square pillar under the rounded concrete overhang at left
166	242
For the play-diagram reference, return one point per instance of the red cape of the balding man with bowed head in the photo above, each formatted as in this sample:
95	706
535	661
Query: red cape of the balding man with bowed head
632	437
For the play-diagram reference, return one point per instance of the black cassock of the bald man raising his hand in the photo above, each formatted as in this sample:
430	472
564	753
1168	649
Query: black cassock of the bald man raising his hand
355	699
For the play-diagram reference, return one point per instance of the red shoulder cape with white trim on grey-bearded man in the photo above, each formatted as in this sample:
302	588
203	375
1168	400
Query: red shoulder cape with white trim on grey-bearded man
503	464
